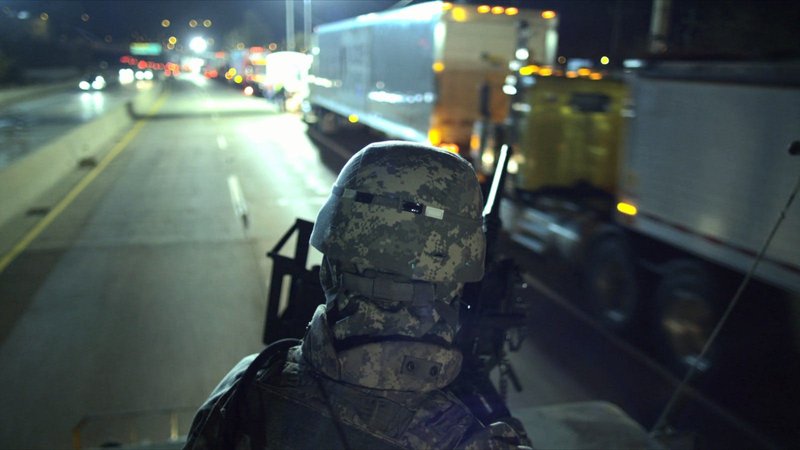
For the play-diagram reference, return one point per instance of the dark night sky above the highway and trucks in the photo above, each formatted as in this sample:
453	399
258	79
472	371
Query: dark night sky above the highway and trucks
587	28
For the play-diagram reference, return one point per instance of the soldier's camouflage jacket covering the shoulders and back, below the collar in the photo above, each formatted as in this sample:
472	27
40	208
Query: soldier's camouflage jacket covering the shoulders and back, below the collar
300	399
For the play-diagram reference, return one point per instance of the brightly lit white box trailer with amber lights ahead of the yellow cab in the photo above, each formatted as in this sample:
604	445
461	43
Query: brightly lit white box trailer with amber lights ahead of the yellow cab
417	73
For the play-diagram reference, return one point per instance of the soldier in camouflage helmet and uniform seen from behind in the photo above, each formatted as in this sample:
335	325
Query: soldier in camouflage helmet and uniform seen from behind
400	233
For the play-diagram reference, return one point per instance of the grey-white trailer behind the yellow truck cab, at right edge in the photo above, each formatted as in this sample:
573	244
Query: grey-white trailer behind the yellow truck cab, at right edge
707	167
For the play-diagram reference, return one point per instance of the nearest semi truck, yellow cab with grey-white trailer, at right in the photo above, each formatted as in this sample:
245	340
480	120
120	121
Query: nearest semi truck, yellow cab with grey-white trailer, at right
659	187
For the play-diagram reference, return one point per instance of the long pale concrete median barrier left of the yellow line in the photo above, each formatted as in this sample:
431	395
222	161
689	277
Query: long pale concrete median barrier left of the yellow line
27	179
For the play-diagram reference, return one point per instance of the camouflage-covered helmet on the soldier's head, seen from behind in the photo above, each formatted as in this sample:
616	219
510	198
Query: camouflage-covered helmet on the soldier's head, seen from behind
442	241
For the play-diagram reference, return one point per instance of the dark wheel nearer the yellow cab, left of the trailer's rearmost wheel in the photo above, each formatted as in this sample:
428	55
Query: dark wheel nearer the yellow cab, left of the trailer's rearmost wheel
610	283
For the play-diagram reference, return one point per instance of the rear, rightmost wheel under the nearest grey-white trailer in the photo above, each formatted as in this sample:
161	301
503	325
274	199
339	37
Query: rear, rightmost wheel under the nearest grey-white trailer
686	313
